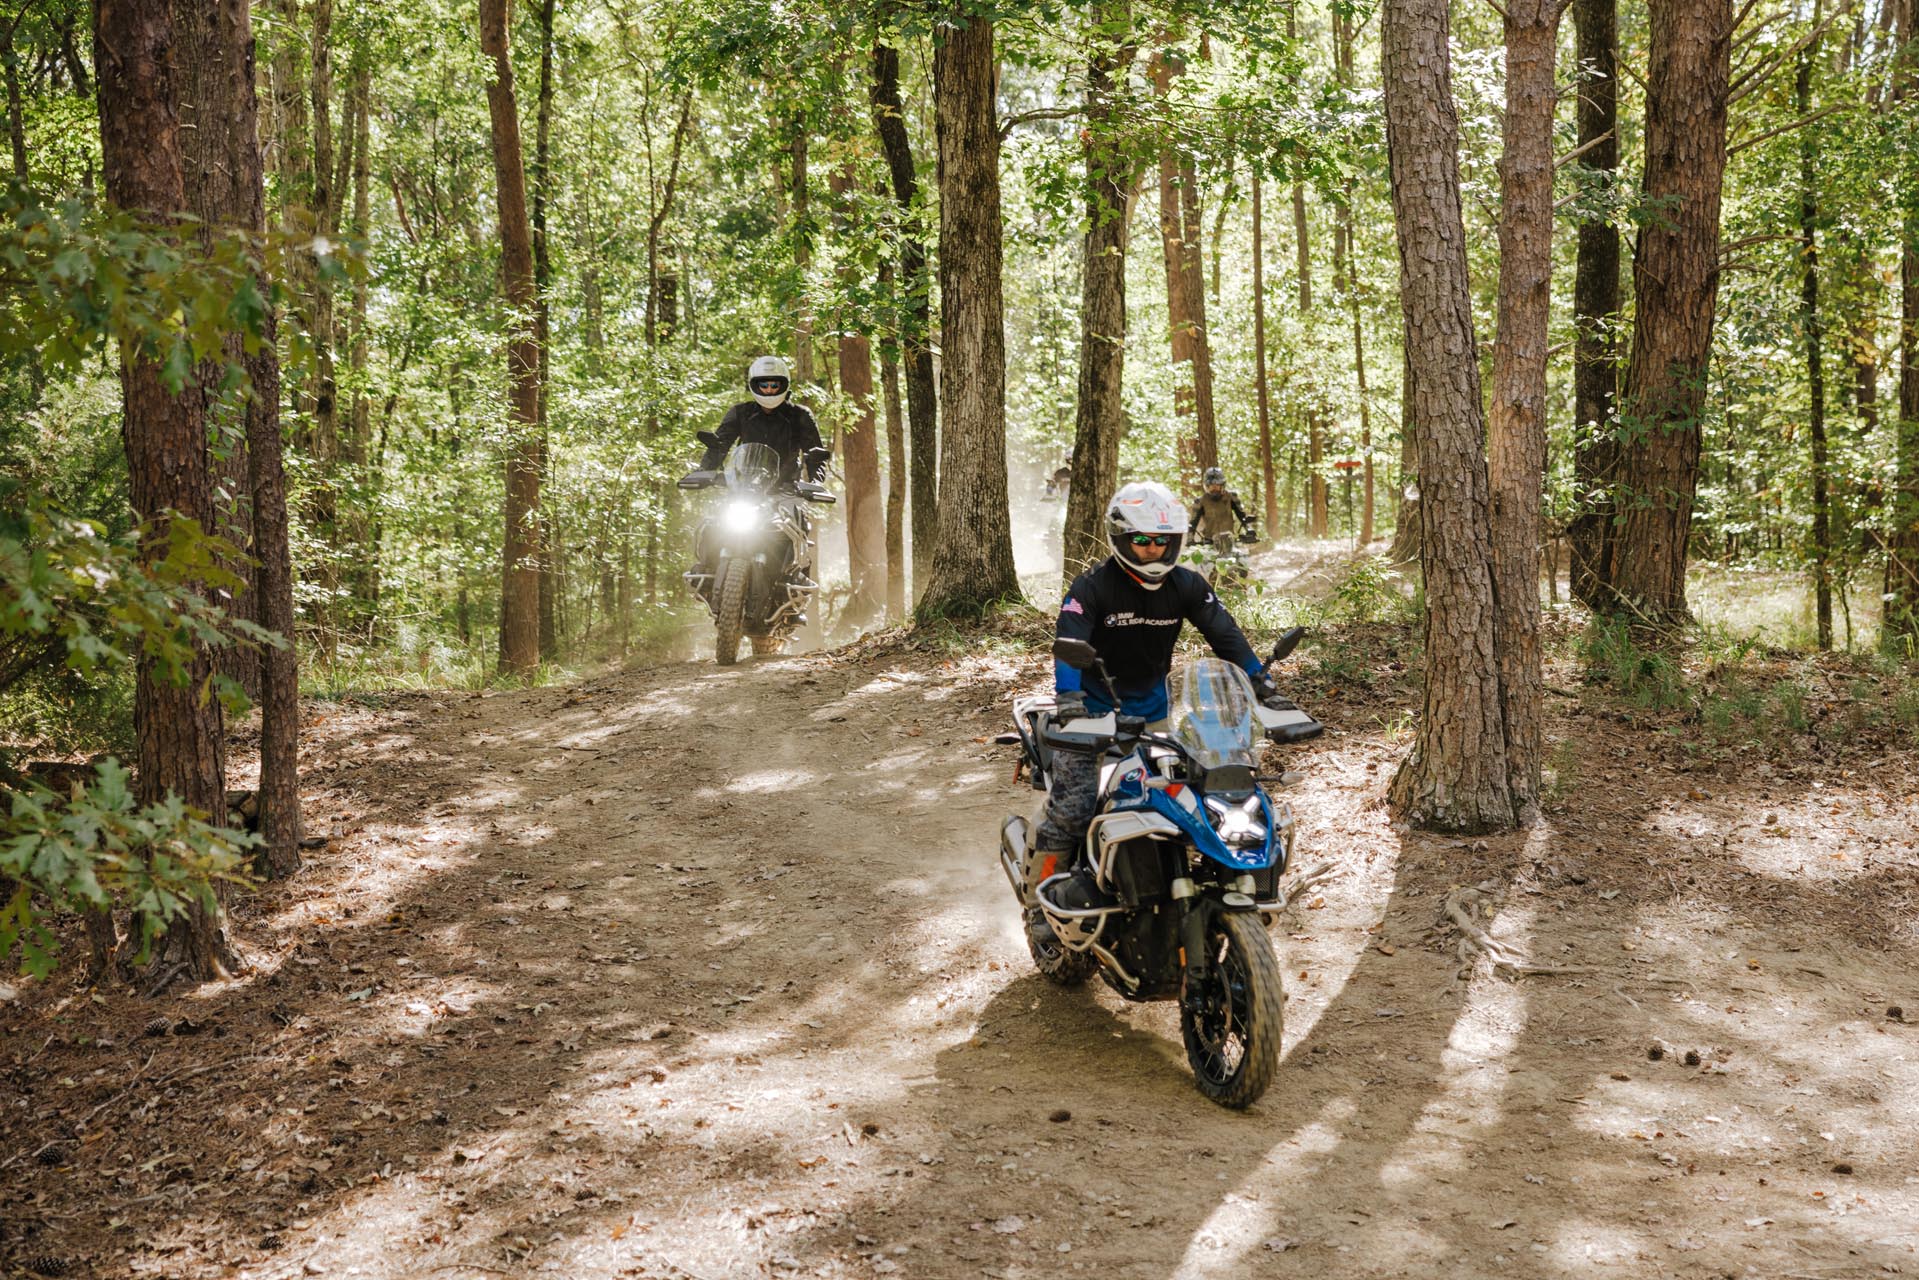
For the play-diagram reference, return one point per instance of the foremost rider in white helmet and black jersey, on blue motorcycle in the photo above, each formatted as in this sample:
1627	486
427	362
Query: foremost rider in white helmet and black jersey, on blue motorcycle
1129	607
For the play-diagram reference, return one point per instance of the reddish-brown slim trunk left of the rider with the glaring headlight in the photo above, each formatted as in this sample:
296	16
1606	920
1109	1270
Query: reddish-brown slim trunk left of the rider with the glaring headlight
519	607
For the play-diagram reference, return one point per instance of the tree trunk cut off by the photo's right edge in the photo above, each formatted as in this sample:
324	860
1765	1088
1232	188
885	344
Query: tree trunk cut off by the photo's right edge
1901	628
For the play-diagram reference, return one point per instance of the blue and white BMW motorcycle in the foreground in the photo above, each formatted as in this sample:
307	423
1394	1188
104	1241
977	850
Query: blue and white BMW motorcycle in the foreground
1187	851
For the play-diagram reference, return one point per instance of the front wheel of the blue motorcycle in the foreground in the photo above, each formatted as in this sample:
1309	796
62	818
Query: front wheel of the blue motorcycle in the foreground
1233	1031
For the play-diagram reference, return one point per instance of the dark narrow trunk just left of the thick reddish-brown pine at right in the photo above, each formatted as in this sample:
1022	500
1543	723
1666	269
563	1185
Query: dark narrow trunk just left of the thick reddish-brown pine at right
1596	306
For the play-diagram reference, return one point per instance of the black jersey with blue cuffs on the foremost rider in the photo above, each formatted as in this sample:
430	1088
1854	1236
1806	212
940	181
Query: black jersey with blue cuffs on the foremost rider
1135	632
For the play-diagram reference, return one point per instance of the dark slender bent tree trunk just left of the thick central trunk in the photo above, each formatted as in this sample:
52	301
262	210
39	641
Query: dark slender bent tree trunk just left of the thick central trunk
916	316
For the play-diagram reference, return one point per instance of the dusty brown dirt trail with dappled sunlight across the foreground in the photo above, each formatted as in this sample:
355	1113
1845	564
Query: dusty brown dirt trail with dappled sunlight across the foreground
711	974
